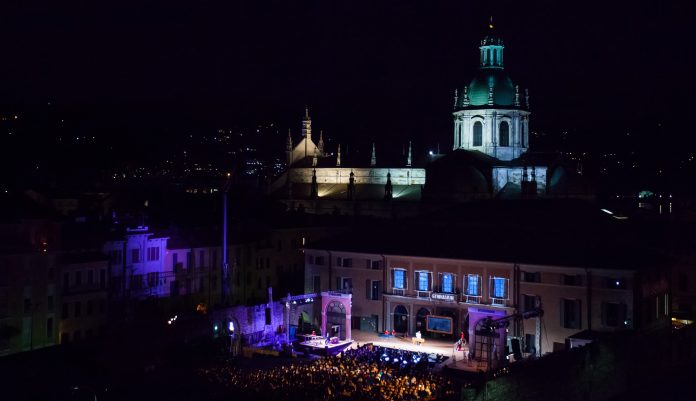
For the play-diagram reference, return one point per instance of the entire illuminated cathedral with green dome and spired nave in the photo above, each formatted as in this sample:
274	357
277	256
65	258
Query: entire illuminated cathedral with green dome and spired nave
490	158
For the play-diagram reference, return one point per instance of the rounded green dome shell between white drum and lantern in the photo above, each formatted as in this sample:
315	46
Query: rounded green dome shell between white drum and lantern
503	89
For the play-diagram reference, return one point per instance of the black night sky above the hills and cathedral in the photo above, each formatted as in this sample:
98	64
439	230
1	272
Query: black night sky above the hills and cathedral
382	70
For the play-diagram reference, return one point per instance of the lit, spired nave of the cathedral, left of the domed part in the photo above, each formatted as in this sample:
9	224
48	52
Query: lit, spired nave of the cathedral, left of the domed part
317	181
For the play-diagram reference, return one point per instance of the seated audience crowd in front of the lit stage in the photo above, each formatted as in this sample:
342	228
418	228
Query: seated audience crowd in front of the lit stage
365	373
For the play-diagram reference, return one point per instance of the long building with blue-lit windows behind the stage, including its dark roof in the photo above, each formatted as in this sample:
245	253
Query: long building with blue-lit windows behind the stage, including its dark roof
399	277
